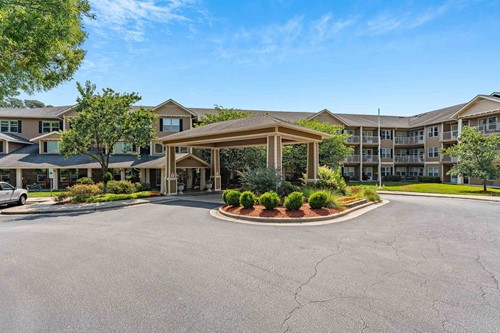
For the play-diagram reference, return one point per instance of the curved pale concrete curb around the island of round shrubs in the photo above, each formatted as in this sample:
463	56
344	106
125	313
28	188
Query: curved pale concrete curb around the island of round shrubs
323	220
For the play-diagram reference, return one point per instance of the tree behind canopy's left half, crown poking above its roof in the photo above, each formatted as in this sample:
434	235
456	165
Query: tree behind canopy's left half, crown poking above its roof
235	159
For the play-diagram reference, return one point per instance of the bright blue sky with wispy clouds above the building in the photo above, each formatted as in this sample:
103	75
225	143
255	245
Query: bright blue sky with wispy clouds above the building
404	57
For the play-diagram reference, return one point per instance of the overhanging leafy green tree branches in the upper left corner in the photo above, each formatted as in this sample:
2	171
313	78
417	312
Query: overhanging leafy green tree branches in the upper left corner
40	43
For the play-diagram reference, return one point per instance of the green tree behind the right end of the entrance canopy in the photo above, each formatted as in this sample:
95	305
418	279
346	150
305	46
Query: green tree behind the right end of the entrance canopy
332	152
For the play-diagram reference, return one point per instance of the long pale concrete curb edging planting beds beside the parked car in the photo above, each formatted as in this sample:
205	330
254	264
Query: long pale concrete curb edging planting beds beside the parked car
82	208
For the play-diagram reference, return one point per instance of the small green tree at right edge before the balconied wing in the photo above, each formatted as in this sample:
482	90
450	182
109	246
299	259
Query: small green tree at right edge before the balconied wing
477	155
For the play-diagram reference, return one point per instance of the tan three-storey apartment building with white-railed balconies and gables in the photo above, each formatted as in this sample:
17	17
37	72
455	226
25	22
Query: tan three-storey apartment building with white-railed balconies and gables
29	144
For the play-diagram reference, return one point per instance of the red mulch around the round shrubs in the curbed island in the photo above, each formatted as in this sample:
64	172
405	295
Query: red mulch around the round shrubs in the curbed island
280	212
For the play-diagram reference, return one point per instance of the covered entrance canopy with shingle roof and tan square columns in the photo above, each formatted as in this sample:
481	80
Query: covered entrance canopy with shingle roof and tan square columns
259	130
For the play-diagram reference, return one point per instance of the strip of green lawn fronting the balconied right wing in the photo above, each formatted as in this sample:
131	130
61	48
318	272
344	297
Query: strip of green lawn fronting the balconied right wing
434	188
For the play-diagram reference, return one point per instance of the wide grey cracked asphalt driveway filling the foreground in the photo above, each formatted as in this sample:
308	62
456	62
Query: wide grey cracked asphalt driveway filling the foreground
413	265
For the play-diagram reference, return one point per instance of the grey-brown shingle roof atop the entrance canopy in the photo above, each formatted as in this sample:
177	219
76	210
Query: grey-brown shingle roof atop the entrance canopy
248	123
